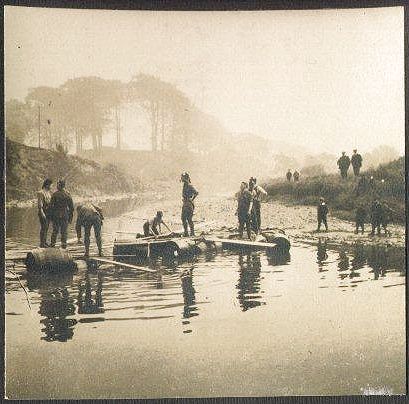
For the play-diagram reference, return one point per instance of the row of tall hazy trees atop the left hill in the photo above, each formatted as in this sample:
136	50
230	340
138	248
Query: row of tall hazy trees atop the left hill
84	107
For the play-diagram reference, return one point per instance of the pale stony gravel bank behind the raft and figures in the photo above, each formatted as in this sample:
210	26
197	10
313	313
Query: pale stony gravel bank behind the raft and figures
299	222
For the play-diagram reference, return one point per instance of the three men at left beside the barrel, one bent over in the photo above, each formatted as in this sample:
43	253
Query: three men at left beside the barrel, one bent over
57	208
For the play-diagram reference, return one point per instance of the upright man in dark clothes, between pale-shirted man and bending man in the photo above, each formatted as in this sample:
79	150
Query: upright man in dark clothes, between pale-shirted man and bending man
61	212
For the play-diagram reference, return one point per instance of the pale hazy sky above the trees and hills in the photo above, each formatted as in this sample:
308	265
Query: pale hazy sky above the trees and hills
325	79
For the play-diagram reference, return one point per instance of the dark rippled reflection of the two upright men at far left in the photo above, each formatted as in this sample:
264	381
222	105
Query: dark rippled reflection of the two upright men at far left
56	306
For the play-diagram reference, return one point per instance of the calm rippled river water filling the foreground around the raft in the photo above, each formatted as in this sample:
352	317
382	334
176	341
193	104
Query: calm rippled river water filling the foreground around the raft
324	320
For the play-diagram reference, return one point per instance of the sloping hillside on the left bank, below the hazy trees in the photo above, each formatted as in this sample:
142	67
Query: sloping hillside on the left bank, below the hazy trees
27	167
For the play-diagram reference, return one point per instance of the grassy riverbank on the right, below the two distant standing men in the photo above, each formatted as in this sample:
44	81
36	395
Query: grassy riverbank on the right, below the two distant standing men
343	196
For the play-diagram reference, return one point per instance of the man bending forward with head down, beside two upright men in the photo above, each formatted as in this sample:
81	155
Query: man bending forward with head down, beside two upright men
88	216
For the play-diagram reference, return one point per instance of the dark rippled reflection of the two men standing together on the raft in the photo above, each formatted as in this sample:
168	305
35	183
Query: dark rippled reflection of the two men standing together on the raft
249	281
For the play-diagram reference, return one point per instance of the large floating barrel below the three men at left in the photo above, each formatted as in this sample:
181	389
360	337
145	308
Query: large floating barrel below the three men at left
49	259
